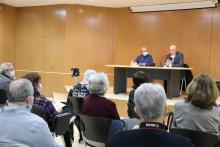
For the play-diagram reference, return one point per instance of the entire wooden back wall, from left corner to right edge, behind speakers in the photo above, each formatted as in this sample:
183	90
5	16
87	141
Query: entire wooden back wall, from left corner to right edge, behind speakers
56	38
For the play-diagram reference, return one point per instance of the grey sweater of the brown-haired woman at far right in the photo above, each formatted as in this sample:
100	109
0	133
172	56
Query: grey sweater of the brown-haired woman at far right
188	116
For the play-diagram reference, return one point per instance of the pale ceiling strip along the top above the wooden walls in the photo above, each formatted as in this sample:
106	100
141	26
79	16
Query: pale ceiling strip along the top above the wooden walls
100	3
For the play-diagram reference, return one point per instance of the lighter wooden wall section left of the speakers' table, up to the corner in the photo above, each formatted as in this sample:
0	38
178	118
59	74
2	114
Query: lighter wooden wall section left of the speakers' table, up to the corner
57	38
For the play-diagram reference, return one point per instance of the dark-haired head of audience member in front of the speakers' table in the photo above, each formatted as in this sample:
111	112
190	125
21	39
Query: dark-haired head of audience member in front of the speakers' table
139	78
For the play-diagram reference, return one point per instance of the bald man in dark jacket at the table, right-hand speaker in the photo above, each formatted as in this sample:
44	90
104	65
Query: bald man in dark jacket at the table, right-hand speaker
174	58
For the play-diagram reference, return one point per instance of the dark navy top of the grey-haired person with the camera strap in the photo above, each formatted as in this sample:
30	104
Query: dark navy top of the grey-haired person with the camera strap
147	138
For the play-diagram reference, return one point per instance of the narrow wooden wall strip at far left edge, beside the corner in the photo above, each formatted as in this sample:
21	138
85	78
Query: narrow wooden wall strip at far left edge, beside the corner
7	33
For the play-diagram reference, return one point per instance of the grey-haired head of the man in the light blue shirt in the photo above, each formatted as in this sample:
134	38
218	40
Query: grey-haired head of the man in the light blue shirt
20	90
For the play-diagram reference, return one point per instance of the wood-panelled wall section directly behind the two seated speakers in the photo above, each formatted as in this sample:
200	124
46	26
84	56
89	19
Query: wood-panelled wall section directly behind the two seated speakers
195	32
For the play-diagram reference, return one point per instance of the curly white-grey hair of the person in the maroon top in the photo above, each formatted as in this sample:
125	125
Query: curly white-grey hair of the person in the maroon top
98	84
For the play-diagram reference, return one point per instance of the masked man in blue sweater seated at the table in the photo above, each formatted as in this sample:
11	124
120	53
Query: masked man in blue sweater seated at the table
145	59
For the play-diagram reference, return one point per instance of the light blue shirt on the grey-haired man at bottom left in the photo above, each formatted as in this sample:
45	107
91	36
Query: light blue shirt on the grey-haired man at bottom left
18	124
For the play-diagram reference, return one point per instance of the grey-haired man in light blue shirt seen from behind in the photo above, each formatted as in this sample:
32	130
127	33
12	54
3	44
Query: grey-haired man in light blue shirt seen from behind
18	124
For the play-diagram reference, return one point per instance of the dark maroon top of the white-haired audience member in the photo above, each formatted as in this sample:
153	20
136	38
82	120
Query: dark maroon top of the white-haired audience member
98	106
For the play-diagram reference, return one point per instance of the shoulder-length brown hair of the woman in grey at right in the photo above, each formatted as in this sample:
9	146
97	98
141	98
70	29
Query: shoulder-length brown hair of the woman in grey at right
202	92
